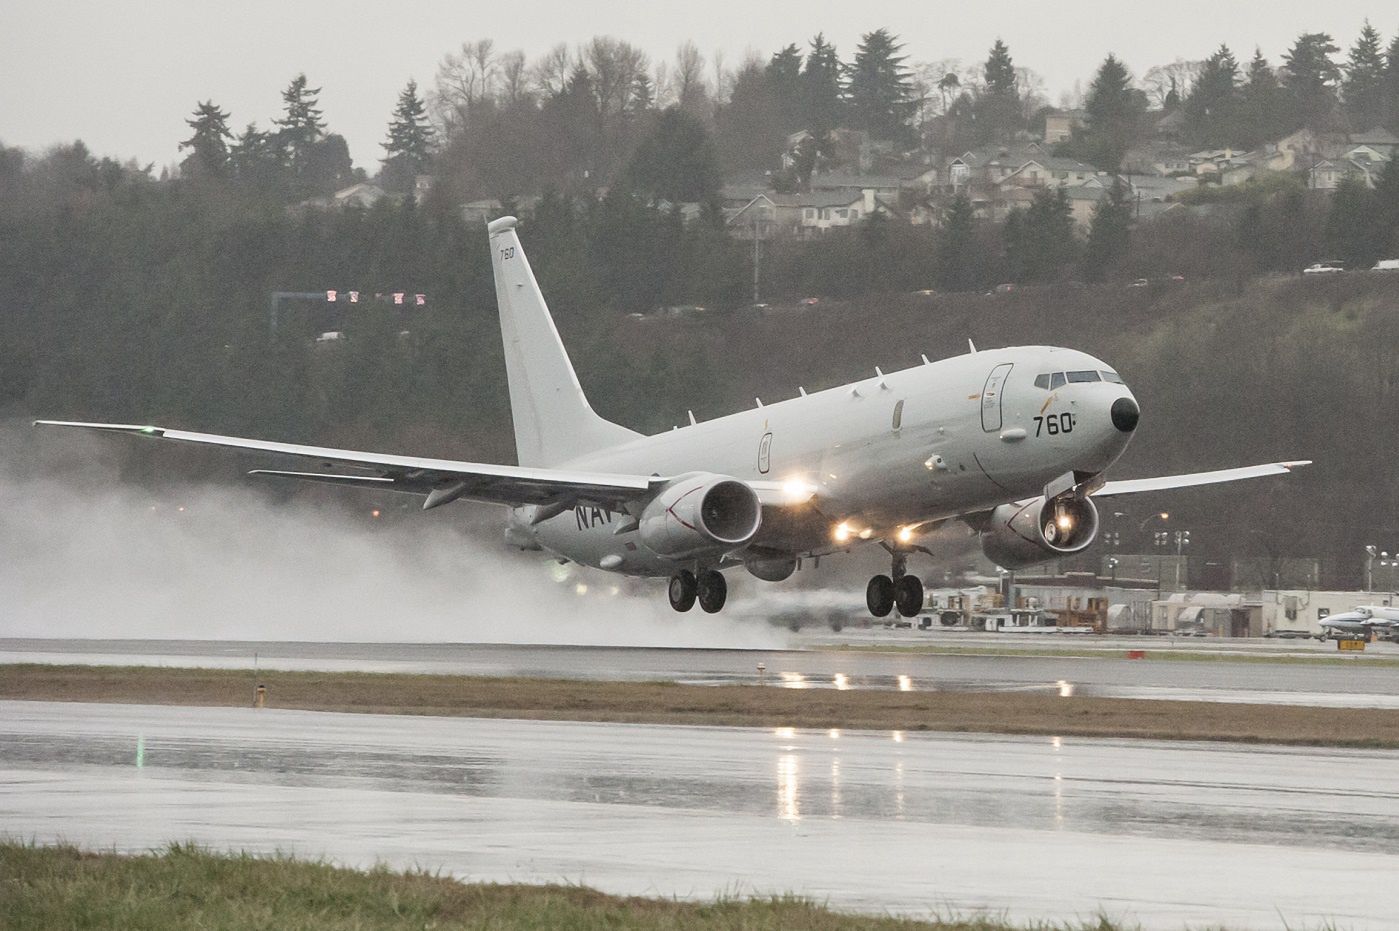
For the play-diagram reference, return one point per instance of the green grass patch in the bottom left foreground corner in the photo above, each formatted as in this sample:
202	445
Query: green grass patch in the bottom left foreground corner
185	887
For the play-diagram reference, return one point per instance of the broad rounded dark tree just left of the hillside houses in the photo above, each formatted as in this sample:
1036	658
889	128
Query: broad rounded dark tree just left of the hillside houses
676	162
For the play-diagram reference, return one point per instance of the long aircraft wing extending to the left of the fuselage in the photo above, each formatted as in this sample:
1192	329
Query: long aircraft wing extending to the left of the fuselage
441	481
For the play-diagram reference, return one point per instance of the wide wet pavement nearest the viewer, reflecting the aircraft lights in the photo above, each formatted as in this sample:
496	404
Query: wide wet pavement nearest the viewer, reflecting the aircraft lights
1172	835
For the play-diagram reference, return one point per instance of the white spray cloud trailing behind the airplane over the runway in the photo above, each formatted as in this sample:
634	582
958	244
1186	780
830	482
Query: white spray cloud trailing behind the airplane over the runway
87	555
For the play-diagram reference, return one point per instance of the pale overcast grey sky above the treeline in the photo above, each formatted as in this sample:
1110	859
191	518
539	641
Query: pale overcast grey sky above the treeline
124	78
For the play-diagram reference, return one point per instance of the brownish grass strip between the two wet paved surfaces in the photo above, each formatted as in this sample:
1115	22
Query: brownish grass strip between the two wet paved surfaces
735	706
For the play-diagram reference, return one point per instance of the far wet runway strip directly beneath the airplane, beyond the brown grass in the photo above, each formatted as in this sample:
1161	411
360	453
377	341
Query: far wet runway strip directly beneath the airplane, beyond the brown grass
1344	684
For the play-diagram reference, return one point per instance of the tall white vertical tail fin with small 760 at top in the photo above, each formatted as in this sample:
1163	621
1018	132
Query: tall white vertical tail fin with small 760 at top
553	421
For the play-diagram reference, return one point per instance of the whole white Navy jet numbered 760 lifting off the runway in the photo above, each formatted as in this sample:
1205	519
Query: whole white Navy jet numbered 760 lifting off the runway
1012	442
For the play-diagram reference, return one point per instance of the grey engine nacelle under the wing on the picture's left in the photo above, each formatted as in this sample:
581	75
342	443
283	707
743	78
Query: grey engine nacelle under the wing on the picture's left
700	514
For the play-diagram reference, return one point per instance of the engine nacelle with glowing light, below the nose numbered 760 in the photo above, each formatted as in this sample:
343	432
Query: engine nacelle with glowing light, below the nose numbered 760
1019	535
